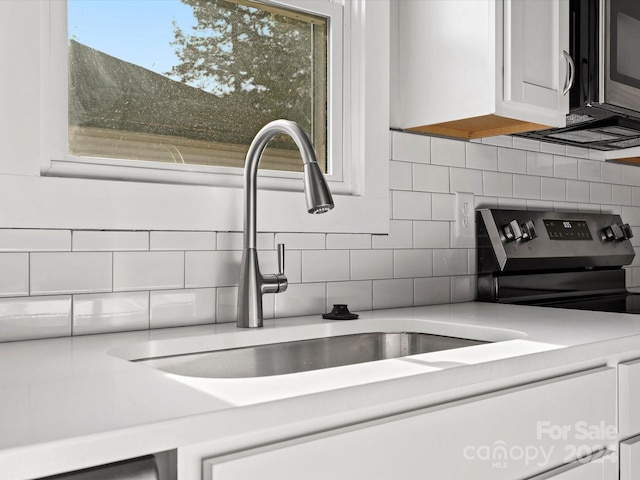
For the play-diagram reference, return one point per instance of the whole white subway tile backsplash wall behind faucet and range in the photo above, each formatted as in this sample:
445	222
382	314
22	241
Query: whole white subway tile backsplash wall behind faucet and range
59	282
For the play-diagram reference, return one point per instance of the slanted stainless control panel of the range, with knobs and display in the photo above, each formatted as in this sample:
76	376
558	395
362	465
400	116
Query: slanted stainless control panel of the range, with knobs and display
536	240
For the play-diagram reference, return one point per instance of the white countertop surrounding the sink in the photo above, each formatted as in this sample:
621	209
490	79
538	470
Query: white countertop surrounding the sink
77	402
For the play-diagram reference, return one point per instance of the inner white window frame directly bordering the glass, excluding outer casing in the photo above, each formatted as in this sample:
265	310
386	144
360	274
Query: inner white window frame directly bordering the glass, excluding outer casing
62	163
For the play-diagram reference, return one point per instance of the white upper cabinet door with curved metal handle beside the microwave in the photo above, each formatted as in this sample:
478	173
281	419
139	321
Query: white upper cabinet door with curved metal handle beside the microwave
535	69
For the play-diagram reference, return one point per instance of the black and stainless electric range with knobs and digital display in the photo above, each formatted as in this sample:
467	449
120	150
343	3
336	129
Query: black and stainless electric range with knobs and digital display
555	259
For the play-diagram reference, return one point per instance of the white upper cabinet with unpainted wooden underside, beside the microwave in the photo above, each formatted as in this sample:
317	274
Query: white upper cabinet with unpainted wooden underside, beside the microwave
477	68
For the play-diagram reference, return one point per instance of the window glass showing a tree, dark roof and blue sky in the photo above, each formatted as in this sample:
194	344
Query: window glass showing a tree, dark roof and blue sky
192	81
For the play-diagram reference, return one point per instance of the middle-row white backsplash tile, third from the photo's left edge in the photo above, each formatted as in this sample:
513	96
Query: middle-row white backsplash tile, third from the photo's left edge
148	270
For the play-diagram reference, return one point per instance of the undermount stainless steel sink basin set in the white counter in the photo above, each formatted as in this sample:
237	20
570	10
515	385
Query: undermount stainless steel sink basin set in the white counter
303	355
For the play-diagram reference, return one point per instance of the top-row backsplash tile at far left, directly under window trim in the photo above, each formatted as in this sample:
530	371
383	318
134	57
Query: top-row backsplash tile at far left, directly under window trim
31	240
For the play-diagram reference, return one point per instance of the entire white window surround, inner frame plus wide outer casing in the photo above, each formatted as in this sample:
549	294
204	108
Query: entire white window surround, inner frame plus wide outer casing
52	191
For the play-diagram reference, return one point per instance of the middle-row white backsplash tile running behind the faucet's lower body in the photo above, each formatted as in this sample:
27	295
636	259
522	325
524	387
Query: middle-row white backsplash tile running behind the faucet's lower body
212	269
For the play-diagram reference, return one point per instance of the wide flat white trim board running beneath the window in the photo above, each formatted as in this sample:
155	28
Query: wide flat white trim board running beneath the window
73	203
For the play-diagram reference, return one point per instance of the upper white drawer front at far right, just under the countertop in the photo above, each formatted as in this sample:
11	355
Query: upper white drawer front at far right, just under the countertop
629	383
